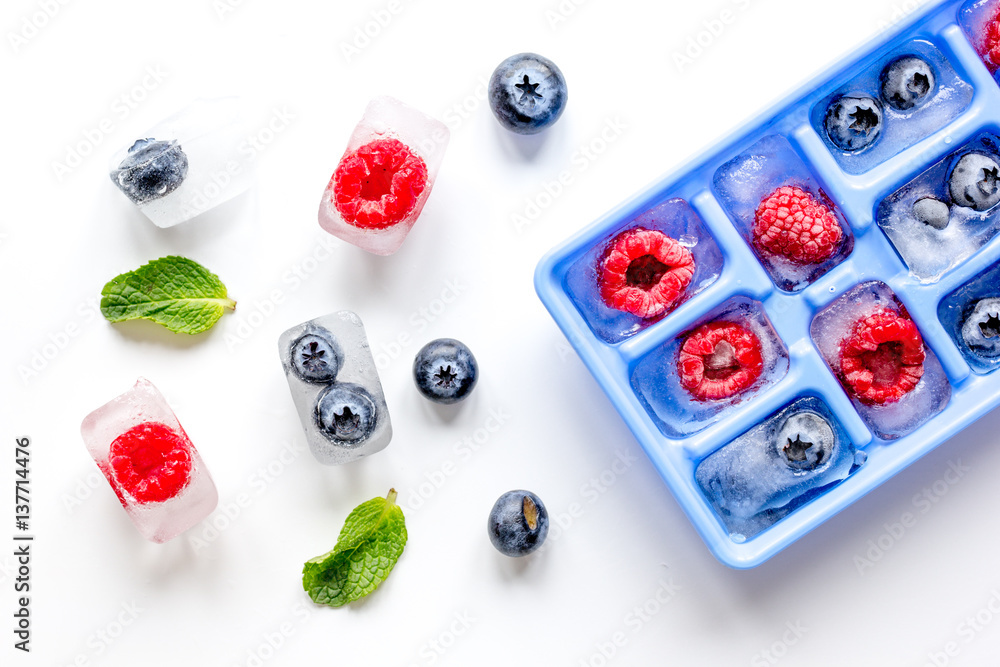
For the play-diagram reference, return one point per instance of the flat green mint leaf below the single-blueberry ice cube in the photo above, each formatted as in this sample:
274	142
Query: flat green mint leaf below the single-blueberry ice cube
176	292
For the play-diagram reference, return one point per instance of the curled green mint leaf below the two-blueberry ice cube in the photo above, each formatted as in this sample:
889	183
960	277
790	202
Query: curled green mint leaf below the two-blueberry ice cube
369	545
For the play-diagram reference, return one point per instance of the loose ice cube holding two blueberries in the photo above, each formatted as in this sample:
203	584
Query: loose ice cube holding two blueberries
336	389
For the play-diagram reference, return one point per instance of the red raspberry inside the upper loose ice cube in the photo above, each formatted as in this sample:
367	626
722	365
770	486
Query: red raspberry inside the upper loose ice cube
379	184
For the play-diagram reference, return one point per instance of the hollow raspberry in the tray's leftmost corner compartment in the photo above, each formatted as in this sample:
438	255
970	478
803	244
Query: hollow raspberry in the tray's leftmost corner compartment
644	272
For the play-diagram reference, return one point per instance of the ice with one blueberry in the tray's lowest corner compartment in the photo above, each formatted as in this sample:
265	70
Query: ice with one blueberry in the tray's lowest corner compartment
776	467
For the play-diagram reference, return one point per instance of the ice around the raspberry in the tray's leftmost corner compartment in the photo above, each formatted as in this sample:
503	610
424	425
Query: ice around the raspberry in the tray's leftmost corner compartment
678	220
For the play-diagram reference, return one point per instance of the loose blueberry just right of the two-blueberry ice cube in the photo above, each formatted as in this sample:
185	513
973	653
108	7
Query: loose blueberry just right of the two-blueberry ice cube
445	371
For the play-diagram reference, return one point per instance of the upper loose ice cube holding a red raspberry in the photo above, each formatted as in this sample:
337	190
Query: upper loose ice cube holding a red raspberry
386	118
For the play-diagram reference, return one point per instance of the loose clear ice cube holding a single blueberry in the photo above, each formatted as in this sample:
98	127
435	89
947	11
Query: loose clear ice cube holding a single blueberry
187	163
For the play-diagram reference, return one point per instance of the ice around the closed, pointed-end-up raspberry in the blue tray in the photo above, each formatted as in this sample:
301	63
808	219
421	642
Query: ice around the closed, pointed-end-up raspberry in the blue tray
745	181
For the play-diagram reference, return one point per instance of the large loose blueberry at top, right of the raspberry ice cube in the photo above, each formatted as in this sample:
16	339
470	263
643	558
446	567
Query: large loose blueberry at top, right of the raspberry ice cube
527	93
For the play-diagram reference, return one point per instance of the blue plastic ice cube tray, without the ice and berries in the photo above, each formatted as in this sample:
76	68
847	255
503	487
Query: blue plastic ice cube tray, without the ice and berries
614	362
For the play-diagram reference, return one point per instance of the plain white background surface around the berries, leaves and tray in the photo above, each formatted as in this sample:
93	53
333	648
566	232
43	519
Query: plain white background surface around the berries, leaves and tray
452	599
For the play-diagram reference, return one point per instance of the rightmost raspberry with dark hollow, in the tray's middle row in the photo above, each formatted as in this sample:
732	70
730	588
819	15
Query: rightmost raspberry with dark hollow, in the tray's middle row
882	359
